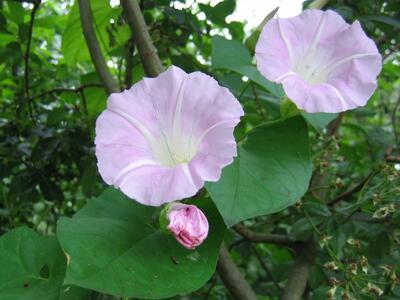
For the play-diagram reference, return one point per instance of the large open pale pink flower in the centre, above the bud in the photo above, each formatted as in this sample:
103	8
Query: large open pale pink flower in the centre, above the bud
162	139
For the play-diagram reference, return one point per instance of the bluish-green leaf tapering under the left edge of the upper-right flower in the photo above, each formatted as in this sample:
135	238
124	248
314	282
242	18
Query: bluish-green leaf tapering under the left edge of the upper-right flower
233	55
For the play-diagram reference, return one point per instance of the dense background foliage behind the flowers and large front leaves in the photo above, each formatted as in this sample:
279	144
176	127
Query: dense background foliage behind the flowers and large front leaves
51	96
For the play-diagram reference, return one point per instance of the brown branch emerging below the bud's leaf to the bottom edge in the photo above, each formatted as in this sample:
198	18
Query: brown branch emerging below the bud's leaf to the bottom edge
231	277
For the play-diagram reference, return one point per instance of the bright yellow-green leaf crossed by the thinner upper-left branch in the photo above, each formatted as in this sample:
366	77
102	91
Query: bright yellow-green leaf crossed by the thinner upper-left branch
73	42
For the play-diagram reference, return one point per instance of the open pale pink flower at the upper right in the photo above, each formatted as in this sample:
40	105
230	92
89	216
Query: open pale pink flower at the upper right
324	64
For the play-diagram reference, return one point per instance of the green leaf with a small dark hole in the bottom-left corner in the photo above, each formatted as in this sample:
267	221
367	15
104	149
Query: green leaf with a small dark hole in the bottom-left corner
32	266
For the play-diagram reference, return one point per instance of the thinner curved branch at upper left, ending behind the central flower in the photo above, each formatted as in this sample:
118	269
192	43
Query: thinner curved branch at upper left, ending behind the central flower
108	81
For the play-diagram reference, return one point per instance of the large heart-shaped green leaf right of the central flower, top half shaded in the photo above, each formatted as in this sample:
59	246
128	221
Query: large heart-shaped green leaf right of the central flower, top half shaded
271	172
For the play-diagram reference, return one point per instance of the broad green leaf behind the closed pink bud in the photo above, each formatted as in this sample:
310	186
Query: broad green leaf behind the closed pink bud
114	249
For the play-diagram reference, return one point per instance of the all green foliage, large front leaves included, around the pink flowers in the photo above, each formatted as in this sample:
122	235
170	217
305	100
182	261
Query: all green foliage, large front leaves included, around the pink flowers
48	169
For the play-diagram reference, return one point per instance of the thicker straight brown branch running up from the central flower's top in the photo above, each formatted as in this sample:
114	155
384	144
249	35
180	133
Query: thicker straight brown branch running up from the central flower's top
148	54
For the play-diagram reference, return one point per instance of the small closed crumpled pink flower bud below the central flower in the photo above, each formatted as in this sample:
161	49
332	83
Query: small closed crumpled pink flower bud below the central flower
188	224
